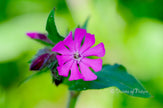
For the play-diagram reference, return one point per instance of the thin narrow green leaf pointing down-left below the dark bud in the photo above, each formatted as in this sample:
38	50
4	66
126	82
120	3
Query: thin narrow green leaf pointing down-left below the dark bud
33	75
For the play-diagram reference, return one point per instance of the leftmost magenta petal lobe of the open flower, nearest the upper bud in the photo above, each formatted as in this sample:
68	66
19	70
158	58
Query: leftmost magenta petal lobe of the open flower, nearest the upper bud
60	48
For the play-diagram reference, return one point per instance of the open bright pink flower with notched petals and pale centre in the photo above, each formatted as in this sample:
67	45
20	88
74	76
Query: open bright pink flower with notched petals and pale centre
73	55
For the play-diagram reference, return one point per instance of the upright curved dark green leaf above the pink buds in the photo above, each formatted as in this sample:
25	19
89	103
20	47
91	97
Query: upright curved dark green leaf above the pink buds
51	28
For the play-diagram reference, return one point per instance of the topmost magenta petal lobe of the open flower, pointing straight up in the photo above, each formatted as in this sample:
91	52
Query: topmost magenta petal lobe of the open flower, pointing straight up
79	35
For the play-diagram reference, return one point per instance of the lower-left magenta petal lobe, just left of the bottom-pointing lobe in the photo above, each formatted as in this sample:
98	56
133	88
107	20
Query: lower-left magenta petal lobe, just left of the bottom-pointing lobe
63	70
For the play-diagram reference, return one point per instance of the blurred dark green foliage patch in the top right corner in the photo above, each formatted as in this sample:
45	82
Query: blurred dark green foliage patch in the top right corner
141	9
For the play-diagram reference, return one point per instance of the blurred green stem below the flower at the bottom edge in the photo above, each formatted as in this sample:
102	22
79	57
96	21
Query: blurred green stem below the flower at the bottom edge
73	99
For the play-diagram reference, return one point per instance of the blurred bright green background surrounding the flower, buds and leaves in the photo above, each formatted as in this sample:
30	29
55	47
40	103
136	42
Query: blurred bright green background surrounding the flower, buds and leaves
132	31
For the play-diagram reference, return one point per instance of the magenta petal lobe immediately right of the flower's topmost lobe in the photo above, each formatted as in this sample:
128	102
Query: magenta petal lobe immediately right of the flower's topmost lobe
88	42
